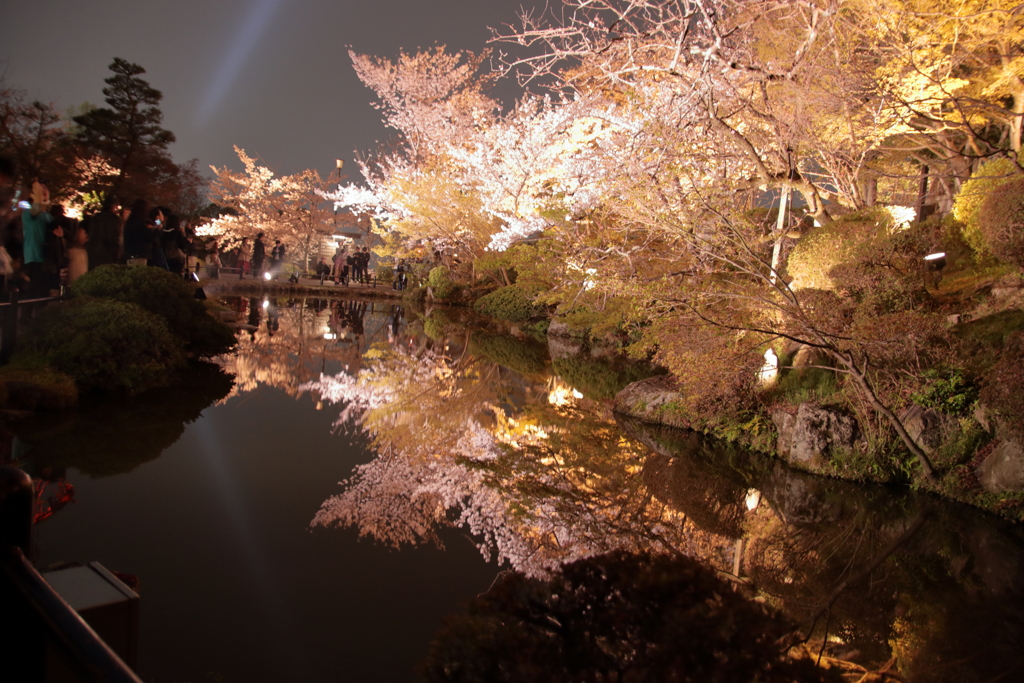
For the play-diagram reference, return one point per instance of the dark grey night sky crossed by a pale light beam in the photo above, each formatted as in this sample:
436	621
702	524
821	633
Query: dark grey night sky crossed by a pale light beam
271	76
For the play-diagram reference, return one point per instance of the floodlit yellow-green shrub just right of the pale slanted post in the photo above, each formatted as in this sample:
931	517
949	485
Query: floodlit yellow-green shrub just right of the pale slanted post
826	247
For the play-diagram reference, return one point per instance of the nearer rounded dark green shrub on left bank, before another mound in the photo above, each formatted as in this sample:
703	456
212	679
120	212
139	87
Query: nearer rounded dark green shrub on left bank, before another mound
106	345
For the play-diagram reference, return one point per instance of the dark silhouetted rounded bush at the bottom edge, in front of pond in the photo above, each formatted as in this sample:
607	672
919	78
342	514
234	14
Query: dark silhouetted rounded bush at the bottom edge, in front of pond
617	618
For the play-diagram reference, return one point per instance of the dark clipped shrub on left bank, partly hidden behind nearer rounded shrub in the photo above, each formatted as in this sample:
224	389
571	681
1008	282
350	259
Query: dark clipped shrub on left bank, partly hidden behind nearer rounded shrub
166	295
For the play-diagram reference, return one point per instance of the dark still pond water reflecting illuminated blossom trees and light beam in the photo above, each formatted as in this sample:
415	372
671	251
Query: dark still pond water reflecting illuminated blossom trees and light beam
463	453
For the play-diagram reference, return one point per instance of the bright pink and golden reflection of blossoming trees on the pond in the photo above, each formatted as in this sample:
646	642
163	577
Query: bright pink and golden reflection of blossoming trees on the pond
532	491
